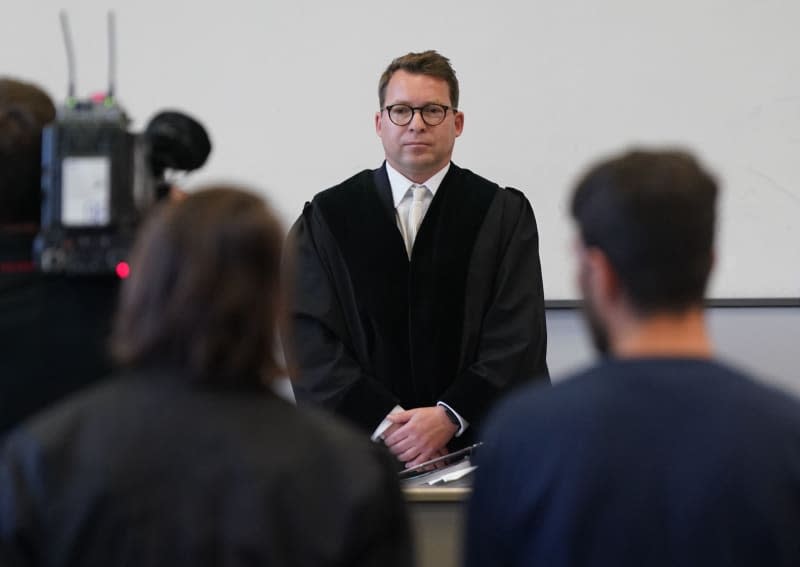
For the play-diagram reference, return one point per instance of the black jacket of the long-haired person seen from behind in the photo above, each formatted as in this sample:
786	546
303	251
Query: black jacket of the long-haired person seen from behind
147	471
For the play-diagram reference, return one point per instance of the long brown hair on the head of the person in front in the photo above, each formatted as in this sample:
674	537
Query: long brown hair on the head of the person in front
203	296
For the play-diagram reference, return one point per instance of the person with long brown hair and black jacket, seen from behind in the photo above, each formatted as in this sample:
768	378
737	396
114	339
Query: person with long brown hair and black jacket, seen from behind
187	457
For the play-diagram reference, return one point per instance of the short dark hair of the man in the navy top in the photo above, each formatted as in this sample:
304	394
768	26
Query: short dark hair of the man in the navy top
652	214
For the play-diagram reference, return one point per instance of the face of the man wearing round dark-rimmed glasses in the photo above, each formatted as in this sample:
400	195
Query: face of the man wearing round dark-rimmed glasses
417	150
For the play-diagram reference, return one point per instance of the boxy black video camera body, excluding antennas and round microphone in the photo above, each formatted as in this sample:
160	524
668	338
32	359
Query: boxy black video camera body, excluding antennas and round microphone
96	184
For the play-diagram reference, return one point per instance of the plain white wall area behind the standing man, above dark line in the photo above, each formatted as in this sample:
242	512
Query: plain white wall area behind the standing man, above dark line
288	91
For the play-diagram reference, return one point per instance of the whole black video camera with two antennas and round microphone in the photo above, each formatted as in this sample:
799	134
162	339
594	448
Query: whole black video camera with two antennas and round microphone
98	178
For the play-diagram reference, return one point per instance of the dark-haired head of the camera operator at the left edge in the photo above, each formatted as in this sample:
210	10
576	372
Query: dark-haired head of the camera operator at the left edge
24	110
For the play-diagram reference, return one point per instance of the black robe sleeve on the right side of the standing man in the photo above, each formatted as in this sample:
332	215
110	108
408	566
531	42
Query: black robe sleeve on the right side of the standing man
510	345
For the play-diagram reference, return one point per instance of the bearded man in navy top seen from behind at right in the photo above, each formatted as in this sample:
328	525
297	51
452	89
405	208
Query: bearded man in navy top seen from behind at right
658	454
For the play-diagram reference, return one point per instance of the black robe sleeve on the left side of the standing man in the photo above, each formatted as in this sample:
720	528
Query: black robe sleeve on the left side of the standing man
327	358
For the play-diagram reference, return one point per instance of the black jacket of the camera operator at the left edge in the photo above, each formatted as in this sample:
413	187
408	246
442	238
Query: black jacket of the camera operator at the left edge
53	332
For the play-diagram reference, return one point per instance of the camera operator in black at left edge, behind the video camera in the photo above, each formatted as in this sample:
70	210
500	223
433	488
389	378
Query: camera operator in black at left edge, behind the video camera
53	329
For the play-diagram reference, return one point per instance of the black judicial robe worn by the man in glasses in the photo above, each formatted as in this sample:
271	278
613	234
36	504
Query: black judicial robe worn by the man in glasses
461	322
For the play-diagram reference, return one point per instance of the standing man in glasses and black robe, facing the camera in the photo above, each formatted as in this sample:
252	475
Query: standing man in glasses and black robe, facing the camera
418	290
